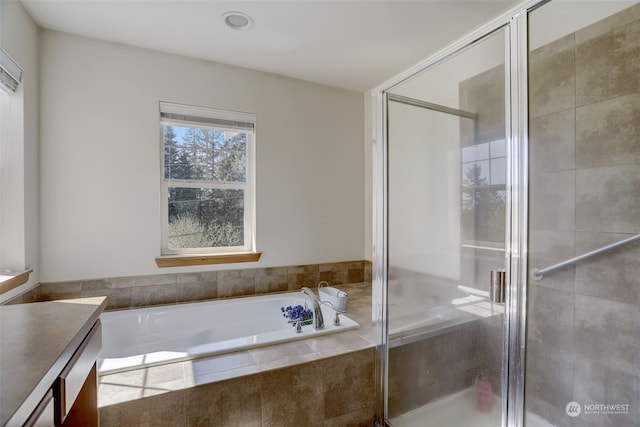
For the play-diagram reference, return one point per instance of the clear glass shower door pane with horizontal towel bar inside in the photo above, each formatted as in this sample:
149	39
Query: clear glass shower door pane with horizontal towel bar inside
447	197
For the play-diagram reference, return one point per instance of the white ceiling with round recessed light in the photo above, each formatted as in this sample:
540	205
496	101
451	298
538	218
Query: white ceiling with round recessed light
351	44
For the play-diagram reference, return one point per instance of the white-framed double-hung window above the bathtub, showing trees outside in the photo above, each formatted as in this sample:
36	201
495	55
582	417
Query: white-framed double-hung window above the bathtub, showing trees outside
207	180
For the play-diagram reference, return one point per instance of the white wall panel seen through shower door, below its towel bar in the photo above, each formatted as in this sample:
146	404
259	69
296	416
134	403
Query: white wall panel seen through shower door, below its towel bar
424	191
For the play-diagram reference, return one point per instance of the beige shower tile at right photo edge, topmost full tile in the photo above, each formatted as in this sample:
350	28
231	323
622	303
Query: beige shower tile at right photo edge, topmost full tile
607	66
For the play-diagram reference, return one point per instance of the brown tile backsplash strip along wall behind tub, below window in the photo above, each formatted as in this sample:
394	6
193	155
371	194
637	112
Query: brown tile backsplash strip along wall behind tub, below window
170	288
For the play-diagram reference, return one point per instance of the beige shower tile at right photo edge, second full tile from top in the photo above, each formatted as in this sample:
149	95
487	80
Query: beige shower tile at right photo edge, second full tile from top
608	132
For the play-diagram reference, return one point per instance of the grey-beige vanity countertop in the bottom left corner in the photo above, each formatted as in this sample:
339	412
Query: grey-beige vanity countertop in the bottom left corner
37	340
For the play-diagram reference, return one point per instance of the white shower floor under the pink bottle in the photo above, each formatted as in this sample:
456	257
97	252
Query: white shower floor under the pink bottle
458	410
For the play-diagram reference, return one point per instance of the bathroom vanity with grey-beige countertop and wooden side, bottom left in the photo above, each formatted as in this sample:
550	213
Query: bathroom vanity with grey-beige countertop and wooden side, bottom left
48	353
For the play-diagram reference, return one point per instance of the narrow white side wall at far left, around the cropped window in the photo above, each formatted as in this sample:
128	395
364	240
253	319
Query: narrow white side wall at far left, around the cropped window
20	245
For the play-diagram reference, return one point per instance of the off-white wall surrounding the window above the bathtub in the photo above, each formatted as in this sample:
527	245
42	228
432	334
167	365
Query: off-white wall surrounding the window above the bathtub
100	166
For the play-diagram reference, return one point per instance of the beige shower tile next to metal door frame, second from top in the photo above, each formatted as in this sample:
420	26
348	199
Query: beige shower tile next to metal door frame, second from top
552	142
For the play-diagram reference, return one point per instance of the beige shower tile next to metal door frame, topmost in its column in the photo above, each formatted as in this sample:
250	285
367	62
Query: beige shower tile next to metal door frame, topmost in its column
552	77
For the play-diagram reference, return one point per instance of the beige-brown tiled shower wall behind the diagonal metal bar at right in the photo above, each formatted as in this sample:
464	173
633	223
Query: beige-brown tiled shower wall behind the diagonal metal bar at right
583	340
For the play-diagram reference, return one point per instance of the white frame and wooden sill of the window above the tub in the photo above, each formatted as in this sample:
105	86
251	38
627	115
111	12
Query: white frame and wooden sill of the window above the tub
228	121
